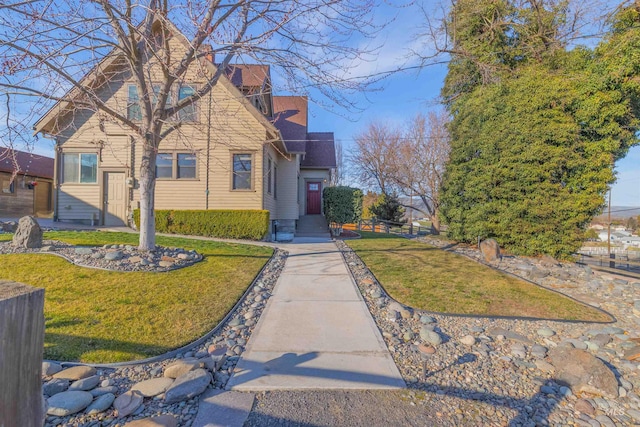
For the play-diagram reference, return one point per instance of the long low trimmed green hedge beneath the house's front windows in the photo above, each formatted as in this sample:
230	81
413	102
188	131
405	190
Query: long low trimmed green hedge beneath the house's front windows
226	224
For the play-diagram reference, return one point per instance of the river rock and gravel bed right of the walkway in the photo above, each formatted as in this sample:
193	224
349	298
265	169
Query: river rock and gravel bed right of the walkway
518	372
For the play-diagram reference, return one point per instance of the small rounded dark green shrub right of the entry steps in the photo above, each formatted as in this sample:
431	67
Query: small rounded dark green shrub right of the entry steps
342	205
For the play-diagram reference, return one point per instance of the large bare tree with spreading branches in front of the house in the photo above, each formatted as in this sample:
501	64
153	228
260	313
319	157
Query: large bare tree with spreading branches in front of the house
70	51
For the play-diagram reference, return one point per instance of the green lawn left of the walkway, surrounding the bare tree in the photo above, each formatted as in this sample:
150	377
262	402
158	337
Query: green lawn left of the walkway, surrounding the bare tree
103	316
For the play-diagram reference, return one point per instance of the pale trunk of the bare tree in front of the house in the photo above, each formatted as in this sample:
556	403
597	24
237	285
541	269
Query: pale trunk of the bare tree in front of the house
147	199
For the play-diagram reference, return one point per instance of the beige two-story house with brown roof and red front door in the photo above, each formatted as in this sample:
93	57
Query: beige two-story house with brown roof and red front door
239	147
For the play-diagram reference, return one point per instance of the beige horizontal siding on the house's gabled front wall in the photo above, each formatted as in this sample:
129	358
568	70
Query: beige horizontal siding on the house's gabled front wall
223	126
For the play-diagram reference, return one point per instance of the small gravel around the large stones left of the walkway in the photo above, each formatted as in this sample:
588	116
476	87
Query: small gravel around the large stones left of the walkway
230	339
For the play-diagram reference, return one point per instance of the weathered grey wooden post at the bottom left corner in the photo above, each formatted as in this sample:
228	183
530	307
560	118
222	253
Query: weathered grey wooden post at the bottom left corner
21	347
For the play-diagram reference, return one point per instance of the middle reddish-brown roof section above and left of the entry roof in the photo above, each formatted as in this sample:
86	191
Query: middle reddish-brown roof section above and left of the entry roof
290	118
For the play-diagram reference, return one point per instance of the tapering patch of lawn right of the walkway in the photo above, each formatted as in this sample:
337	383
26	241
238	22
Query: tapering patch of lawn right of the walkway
428	278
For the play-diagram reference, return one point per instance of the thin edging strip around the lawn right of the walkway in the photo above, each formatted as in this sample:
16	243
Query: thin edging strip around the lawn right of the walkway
480	316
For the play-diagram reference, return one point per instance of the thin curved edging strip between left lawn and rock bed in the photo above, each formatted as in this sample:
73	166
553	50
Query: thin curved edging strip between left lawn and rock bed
199	341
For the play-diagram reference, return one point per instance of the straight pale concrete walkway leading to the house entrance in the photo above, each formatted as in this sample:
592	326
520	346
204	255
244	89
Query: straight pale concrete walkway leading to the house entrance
316	331
